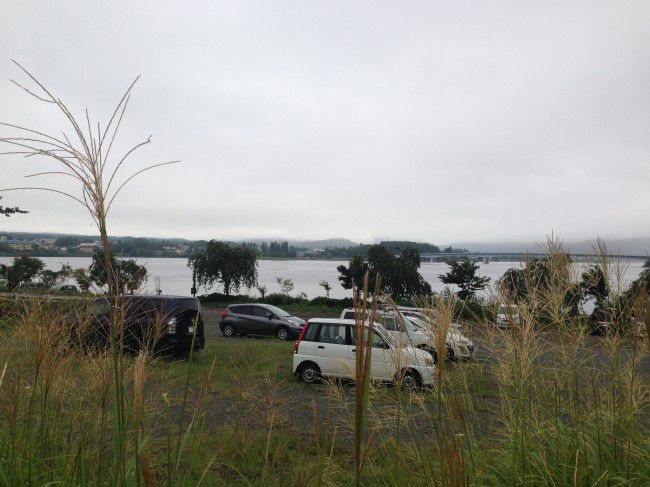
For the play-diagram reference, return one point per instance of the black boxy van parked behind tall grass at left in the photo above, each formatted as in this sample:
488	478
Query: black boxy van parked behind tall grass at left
159	323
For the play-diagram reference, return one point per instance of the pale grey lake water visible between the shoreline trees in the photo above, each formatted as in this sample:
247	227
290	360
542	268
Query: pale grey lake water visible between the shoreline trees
176	277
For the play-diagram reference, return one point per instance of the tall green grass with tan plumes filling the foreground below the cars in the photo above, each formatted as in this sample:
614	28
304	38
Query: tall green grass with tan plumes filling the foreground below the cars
533	408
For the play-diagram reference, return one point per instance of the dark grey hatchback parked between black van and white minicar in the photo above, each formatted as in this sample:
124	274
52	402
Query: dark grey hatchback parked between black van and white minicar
259	319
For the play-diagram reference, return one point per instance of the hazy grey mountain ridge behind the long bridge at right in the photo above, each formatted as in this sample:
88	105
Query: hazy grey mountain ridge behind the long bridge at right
637	246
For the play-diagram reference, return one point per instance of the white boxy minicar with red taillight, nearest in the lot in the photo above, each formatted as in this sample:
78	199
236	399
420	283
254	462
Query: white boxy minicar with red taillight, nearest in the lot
327	348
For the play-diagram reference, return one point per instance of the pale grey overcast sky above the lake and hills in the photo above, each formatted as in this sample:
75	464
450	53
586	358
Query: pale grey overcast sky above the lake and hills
430	121
